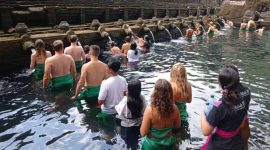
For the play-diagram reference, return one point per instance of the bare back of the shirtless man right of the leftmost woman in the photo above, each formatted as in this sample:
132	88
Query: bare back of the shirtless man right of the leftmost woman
60	65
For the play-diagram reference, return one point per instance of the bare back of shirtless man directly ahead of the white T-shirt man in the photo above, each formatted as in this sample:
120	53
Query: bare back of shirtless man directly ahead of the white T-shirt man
94	73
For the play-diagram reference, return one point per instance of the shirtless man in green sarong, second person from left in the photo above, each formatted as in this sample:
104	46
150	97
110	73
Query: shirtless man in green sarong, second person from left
59	68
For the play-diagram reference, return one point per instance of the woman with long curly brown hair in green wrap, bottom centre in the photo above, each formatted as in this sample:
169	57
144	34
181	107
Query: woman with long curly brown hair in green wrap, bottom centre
160	118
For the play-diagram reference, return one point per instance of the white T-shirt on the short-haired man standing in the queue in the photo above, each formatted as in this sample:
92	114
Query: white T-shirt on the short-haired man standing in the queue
112	92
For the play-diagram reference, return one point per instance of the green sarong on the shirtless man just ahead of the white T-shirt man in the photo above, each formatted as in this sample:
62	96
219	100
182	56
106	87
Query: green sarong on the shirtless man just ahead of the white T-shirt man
90	93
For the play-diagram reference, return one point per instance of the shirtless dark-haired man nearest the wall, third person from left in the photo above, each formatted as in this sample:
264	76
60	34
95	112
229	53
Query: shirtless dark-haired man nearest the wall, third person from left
76	52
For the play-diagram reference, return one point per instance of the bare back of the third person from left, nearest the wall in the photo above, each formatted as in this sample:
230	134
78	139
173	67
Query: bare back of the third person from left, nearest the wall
76	52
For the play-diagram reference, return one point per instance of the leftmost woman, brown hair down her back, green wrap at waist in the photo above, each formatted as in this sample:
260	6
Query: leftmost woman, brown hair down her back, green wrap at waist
38	59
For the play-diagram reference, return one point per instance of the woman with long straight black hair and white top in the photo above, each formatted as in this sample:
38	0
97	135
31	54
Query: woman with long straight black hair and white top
130	111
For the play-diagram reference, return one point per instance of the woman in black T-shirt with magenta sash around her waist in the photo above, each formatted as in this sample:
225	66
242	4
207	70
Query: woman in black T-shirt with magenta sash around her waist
228	115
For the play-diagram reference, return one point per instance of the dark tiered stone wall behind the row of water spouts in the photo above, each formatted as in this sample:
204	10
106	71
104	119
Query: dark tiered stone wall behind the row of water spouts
43	13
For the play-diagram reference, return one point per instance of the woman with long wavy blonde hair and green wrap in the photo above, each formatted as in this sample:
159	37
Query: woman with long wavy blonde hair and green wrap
182	92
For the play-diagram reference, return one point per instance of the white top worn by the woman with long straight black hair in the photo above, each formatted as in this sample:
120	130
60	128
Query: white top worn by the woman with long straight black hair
124	113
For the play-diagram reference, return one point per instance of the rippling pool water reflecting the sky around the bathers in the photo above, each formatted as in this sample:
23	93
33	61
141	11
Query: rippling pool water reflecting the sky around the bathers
33	119
